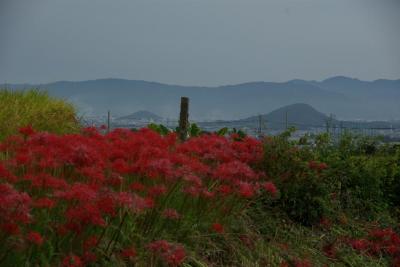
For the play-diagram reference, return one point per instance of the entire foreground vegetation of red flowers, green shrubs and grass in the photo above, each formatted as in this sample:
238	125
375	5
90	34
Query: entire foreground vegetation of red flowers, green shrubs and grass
143	198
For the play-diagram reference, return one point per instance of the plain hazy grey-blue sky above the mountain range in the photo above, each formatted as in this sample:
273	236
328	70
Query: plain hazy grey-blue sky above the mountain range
198	42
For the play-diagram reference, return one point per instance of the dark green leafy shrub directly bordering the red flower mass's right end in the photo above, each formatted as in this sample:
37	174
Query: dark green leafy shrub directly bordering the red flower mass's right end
303	187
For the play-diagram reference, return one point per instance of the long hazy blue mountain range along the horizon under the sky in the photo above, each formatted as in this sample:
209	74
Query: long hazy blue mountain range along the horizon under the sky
345	97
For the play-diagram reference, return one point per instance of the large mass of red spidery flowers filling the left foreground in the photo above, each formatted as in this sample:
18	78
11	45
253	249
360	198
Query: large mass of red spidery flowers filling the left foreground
84	189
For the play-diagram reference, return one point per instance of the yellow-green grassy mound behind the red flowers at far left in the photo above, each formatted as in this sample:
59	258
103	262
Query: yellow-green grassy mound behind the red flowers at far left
35	108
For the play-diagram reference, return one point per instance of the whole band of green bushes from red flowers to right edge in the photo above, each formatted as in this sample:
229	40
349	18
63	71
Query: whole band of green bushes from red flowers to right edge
320	176
